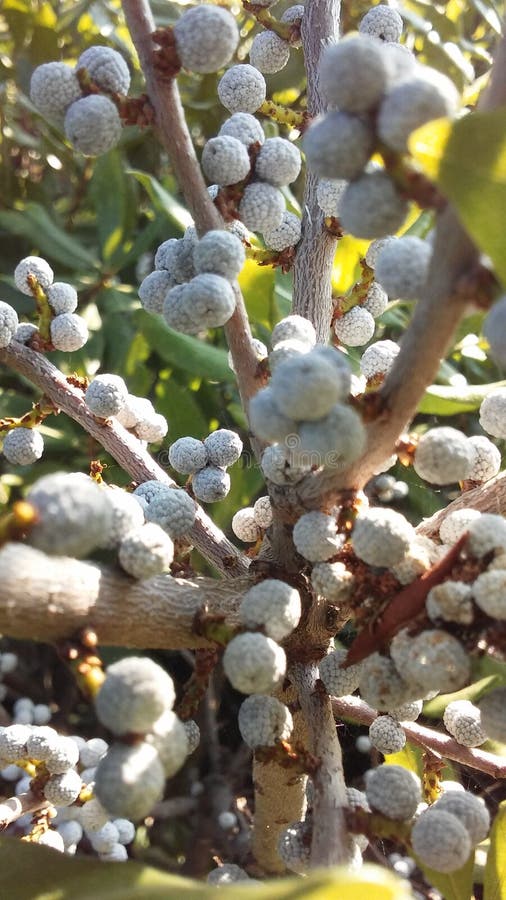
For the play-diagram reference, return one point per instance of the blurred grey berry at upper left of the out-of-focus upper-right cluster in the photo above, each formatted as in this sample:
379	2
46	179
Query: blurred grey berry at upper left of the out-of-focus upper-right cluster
354	73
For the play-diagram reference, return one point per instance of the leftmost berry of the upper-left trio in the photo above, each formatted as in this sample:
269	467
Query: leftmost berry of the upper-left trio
53	87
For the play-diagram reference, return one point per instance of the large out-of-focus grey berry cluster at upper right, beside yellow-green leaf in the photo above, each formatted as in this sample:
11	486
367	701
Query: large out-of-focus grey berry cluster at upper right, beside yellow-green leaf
377	94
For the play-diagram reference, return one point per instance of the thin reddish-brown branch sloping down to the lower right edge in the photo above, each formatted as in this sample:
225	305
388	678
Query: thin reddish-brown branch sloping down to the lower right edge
357	711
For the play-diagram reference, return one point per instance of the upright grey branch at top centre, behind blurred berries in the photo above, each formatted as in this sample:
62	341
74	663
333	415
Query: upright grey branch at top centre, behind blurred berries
312	289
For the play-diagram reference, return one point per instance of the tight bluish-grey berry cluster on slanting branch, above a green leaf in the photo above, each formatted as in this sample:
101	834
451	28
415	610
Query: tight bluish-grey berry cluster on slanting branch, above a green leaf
192	284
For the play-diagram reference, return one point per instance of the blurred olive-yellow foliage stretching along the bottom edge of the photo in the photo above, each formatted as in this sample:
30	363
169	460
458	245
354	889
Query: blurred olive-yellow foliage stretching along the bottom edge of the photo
30	871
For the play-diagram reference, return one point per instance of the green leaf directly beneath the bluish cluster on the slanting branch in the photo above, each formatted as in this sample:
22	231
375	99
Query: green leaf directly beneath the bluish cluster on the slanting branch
183	351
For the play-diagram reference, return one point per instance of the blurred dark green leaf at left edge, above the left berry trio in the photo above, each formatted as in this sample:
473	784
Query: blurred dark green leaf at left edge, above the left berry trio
34	223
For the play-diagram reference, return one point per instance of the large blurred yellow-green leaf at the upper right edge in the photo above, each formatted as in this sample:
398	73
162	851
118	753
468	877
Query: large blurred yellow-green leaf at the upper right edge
468	161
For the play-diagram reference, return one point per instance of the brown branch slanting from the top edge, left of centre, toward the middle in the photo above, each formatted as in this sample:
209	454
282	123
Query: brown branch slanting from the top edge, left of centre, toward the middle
175	136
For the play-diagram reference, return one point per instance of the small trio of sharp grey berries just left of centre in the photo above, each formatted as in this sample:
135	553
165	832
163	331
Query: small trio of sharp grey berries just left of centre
206	462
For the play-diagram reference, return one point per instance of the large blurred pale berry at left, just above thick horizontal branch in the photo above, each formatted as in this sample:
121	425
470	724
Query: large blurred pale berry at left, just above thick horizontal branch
74	515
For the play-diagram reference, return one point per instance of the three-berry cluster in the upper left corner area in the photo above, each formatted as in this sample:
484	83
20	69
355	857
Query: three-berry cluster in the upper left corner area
84	100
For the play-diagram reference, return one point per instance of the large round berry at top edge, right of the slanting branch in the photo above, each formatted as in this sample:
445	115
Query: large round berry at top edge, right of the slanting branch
206	38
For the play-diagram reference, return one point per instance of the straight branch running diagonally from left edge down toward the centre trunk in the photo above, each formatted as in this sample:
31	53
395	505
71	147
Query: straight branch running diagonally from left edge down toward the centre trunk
124	447
